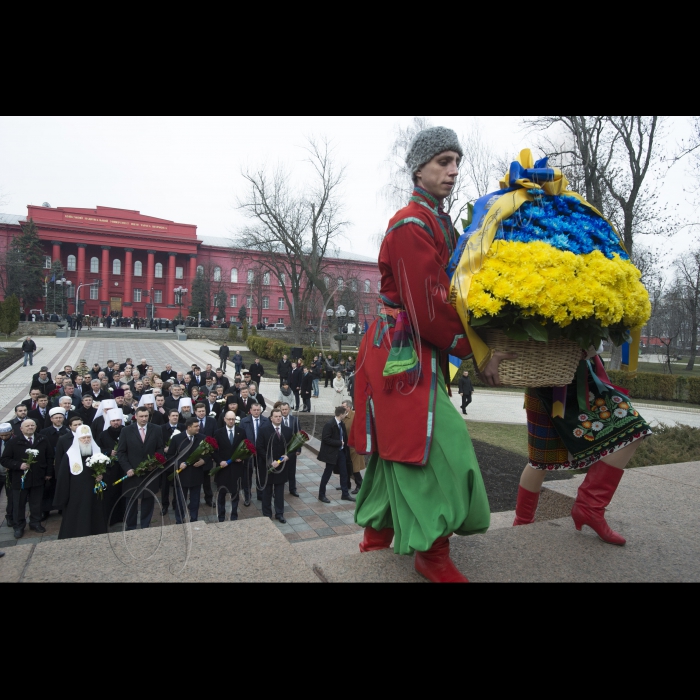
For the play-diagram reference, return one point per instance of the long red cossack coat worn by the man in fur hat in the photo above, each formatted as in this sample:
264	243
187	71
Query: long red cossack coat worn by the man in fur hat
392	418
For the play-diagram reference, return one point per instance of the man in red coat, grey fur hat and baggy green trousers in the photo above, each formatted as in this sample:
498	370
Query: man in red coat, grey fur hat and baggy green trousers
423	482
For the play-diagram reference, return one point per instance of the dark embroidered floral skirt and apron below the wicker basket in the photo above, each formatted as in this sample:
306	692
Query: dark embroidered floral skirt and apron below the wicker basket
584	436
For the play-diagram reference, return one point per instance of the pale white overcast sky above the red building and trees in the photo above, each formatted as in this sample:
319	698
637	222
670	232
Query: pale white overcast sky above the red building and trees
188	169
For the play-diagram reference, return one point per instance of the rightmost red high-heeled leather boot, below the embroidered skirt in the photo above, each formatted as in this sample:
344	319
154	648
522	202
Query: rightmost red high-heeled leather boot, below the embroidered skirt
594	497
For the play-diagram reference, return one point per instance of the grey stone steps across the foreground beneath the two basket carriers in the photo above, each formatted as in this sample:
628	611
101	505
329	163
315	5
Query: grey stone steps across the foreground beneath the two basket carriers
656	508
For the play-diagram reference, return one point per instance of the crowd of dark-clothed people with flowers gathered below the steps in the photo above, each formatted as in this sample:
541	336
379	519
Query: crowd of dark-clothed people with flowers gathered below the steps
128	412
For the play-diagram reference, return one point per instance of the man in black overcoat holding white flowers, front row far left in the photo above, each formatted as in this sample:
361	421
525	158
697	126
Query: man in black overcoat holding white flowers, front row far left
14	460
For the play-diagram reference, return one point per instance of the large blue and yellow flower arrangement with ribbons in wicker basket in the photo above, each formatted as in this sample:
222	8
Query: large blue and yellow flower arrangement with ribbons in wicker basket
539	269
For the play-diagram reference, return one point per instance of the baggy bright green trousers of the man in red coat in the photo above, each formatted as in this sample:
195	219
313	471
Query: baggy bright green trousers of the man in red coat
423	504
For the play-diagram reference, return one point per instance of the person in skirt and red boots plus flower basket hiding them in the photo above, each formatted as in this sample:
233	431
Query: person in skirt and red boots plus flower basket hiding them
541	272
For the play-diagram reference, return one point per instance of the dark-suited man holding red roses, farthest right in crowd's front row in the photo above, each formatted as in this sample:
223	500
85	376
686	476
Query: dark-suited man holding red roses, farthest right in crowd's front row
271	448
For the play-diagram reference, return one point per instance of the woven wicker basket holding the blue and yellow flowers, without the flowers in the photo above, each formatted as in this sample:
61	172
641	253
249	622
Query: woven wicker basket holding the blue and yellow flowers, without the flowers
538	364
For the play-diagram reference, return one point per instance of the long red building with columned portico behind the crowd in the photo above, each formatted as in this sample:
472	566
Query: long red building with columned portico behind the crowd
137	256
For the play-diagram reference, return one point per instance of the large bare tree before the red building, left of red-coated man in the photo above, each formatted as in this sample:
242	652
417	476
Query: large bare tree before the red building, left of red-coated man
295	230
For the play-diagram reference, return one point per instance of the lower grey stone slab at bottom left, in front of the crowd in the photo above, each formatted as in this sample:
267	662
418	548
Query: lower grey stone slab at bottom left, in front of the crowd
246	551
